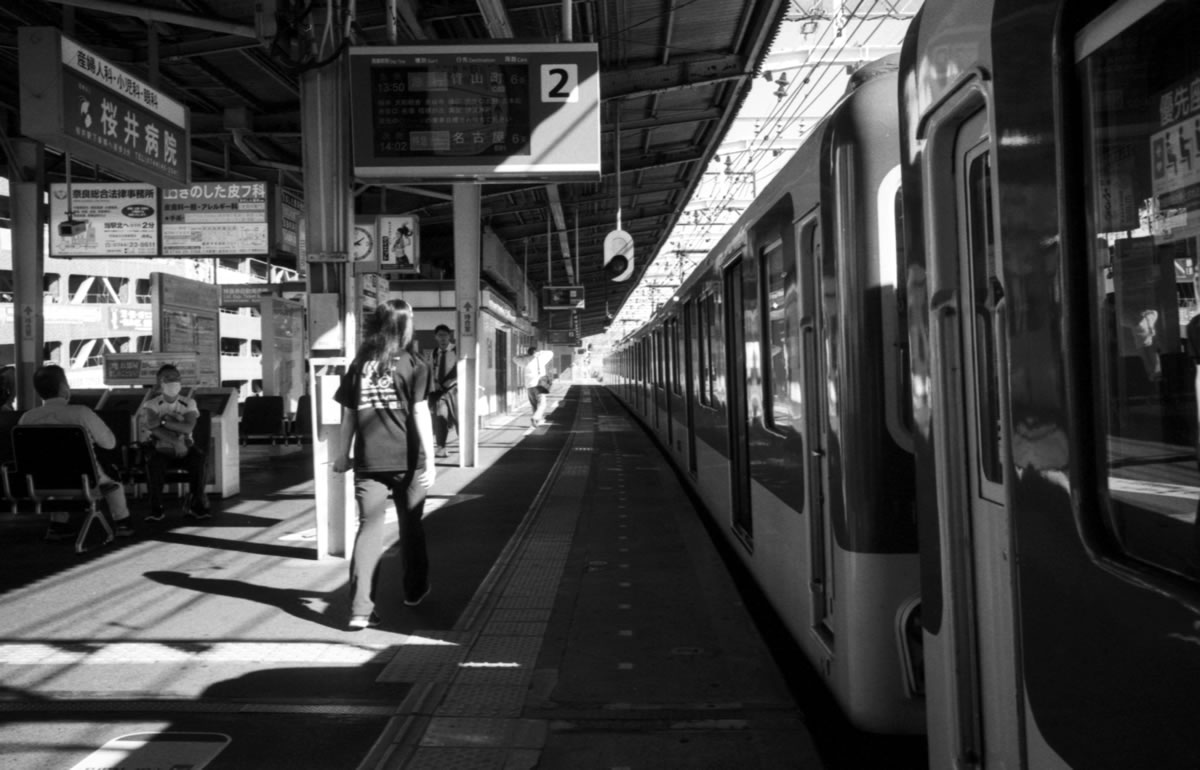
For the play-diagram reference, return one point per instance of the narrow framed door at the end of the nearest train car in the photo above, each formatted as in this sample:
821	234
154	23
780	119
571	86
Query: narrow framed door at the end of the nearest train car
981	669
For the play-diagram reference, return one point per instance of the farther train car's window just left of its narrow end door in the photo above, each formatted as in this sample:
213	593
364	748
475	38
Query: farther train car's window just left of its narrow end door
782	348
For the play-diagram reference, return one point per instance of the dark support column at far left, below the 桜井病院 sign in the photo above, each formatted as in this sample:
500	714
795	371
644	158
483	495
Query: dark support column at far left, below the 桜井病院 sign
27	188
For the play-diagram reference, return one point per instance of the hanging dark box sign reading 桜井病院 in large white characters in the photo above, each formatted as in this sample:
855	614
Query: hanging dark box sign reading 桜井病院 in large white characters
75	100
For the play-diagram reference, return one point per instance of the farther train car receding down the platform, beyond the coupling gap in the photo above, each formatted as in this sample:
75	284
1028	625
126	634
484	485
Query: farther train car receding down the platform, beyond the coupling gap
795	446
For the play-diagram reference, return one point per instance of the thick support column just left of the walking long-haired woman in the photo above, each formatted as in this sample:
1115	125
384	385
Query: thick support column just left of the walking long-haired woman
328	206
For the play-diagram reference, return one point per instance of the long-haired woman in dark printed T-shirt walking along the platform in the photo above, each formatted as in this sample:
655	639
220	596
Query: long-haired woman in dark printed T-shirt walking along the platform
386	422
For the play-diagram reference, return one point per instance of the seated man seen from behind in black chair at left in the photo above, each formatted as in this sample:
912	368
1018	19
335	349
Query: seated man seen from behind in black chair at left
51	383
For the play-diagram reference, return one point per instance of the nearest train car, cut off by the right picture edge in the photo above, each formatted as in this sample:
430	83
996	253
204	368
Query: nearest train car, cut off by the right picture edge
1055	402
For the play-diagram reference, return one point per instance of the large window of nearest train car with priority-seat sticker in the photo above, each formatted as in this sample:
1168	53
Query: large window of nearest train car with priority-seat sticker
1139	75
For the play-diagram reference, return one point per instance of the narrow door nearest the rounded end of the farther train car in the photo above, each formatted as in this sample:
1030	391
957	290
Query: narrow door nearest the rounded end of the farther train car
821	563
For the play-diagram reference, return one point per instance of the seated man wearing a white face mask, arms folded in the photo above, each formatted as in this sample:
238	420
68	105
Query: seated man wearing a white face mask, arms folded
165	428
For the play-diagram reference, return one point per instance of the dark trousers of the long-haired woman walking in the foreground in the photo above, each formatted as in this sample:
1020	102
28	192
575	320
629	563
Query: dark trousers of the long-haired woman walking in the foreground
371	494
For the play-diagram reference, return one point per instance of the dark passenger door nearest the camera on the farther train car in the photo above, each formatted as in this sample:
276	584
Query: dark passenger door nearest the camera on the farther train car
739	419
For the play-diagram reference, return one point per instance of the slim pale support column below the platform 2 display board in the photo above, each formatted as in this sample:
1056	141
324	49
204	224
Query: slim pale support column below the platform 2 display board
467	238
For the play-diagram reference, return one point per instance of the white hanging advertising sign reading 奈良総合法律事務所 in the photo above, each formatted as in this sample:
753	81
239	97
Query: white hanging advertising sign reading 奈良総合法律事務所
111	220
